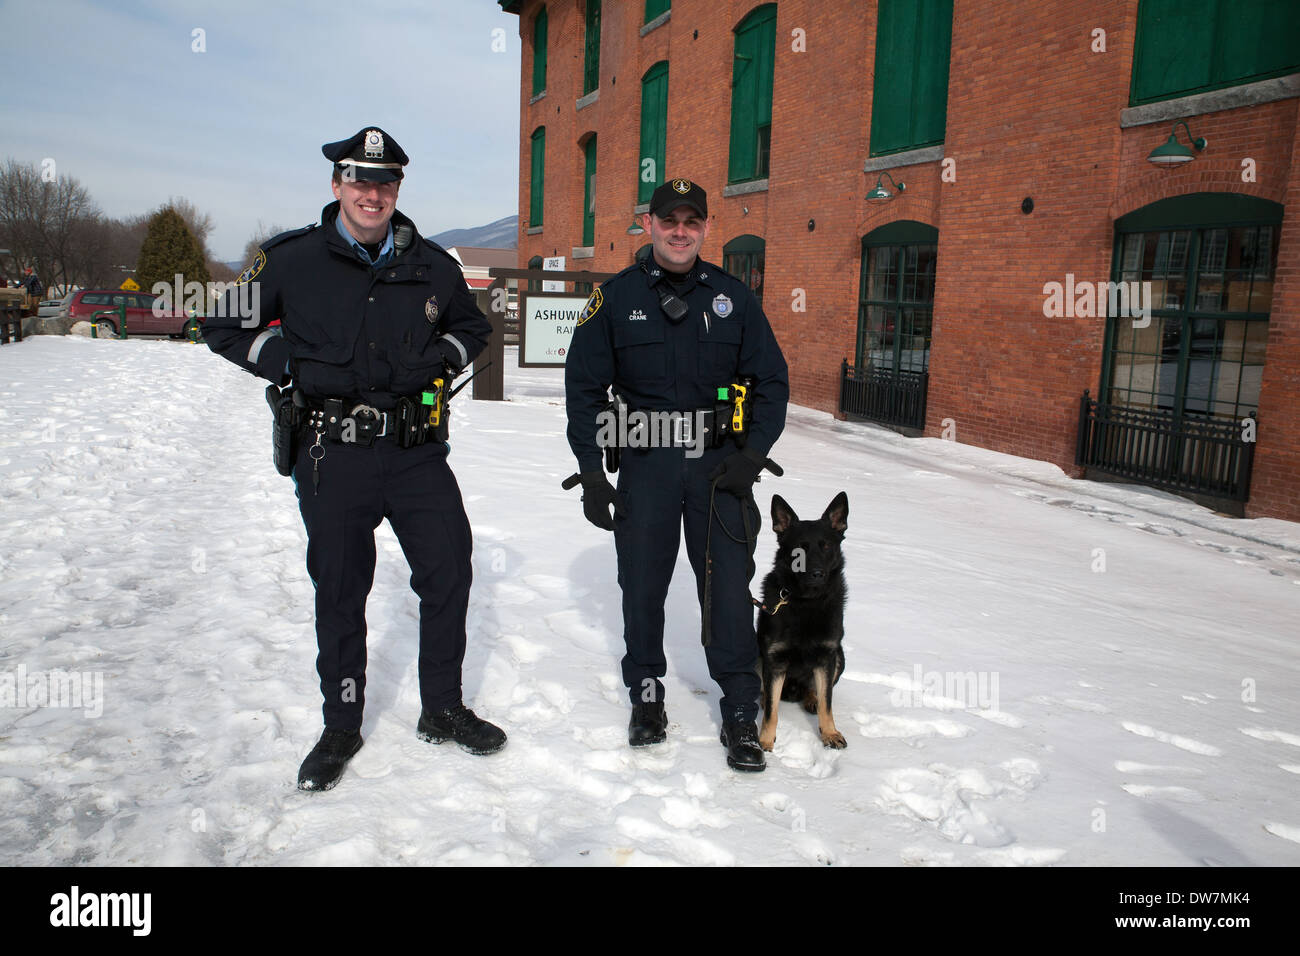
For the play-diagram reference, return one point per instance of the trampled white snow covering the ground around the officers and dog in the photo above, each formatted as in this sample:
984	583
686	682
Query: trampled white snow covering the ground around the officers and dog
1039	671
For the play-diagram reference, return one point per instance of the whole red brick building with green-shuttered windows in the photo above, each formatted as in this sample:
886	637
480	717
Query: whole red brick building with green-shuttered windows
1022	180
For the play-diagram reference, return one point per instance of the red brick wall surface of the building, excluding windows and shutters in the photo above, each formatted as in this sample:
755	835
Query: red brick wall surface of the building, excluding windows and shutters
1033	111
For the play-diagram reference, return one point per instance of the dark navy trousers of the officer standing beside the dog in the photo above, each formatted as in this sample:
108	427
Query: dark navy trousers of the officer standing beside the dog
665	492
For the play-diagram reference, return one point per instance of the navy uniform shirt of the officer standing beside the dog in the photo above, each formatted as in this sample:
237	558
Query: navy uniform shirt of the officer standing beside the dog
625	340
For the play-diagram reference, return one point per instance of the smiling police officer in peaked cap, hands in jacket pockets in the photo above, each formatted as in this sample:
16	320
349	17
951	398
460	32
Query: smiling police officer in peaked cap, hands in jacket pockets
371	318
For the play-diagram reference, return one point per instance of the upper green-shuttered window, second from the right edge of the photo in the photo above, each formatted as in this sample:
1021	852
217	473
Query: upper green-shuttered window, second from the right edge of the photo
909	101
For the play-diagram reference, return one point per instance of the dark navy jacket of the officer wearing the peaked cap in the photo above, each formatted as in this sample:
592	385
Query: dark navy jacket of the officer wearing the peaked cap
348	330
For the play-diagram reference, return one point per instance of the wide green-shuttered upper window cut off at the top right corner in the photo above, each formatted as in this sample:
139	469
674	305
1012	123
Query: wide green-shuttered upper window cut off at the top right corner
1193	46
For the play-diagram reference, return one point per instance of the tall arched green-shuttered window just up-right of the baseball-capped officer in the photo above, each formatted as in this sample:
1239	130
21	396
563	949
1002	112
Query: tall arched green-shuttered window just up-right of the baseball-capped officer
752	97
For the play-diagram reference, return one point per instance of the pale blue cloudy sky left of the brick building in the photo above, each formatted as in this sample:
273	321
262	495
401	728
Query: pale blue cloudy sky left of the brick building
116	96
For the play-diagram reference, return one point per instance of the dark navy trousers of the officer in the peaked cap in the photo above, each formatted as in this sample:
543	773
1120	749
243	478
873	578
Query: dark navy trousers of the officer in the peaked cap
417	492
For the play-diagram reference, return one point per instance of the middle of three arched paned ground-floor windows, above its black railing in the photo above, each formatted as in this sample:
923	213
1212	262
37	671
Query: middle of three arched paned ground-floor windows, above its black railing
896	297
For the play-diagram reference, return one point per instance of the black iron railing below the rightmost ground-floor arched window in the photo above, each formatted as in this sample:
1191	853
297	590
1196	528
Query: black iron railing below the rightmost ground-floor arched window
1185	453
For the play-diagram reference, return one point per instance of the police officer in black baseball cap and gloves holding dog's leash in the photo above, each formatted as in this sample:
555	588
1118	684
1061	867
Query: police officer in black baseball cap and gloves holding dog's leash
668	334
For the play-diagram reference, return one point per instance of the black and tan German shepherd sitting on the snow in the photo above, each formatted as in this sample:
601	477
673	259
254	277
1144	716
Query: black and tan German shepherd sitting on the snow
801	624
